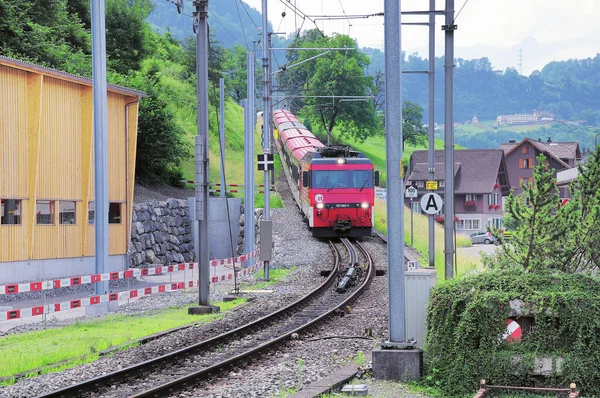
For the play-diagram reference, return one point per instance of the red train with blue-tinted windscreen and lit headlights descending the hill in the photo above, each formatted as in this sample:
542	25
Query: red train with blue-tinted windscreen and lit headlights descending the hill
332	185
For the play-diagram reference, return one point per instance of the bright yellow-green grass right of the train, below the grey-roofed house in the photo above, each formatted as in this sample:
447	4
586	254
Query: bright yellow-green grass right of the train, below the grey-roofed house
421	239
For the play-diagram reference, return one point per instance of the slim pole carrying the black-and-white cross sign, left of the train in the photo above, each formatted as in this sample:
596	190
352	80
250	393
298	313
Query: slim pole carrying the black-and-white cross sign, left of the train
267	131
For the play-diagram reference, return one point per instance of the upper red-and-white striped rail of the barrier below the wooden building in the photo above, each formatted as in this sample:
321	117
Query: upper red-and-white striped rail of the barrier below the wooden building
15	288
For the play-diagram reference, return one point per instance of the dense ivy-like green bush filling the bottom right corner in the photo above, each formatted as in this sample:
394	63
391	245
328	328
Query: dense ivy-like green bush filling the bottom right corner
466	319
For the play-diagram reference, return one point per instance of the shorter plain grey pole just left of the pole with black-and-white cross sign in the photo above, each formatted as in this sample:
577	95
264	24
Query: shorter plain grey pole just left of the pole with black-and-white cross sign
249	159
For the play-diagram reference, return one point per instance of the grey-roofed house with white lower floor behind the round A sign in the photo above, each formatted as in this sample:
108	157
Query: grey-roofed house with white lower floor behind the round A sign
480	182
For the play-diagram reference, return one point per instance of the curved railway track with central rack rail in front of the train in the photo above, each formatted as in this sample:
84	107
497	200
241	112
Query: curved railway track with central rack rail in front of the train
187	367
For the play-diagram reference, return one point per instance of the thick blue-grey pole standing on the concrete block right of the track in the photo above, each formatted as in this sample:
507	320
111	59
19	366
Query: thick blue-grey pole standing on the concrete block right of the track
393	133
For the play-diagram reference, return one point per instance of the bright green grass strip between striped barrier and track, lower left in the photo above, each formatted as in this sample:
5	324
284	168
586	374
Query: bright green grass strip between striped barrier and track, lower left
82	342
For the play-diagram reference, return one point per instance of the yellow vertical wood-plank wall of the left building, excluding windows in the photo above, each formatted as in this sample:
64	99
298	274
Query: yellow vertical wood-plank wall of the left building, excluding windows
46	152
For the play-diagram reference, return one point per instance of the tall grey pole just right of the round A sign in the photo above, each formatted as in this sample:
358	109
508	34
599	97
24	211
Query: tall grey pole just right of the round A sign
449	28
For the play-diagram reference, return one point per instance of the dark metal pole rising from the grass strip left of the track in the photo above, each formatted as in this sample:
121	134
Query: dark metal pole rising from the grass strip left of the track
201	157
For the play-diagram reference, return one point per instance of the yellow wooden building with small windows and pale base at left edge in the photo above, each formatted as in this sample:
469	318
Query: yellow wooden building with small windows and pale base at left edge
47	172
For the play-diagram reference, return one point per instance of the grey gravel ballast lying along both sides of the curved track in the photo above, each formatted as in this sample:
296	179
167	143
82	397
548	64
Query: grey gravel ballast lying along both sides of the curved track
313	356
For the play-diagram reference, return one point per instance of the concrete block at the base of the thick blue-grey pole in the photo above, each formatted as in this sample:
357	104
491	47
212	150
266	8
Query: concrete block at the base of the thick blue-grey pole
397	364
